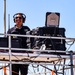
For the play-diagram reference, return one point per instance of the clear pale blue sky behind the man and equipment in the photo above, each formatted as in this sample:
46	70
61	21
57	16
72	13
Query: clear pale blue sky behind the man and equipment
35	11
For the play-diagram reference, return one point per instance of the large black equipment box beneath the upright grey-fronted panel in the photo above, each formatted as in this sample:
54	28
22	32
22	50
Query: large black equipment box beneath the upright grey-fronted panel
51	44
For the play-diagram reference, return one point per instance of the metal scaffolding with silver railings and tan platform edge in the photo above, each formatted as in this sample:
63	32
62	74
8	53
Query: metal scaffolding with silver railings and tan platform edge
37	58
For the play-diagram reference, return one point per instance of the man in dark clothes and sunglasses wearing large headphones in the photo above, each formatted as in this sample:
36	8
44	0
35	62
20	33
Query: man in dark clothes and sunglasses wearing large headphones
19	28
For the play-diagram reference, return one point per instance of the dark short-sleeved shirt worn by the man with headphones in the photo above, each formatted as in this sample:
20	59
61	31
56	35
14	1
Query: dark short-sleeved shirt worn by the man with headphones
21	31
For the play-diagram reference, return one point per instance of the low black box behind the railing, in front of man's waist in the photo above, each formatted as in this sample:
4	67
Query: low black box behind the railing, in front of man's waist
15	43
